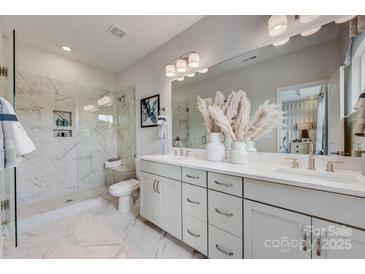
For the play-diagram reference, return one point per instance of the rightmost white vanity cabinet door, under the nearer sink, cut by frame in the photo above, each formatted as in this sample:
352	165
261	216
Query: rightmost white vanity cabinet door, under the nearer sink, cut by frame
334	241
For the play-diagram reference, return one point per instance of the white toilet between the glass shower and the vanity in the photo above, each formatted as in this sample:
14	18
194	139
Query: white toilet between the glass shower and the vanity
125	191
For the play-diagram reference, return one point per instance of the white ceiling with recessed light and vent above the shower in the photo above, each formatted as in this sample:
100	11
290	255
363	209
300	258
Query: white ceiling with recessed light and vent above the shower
89	40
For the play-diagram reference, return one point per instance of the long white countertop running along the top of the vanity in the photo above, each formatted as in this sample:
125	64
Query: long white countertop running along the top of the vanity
342	181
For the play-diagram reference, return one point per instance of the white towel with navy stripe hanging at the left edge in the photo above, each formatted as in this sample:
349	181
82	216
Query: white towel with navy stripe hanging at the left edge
14	141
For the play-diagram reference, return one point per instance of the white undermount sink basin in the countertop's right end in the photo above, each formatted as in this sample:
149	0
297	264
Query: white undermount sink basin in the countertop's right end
320	175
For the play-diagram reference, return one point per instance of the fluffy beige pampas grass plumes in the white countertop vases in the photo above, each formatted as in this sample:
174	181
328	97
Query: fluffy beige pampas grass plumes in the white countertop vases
233	117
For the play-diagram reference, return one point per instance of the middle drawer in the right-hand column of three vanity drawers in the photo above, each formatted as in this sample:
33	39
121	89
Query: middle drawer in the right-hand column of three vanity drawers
225	212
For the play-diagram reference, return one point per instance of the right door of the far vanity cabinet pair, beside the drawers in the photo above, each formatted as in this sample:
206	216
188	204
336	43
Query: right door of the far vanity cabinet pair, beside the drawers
170	205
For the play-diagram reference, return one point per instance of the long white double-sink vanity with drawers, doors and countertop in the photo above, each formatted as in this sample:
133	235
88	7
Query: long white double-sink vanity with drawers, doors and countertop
260	210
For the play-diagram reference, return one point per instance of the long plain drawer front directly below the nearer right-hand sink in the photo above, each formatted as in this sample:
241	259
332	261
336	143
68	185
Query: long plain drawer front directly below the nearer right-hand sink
340	208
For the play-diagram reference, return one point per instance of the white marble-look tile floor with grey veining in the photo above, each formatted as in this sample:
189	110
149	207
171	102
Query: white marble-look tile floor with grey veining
95	229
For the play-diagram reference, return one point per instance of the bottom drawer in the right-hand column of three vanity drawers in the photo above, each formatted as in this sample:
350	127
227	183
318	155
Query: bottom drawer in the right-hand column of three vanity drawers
223	245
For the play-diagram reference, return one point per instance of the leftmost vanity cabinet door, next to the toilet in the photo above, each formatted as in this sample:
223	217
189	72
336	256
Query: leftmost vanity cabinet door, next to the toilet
150	198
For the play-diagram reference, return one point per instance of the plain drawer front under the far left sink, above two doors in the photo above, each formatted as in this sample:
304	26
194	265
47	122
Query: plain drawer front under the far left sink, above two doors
164	170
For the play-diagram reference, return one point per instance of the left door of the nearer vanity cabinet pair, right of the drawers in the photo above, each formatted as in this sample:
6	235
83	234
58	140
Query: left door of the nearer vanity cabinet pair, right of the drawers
274	233
